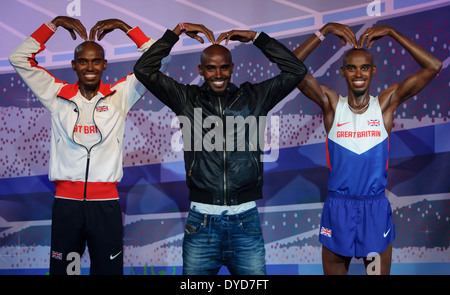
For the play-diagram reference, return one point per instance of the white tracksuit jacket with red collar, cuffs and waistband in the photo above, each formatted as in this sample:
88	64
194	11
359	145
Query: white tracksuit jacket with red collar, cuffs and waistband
78	172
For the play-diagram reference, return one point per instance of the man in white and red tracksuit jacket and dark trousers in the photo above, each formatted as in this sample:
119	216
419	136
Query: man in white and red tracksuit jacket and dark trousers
88	122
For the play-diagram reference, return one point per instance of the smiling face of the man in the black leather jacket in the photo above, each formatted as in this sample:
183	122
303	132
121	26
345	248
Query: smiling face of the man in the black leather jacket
216	67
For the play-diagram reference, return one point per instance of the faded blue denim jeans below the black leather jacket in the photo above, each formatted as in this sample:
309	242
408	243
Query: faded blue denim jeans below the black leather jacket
235	241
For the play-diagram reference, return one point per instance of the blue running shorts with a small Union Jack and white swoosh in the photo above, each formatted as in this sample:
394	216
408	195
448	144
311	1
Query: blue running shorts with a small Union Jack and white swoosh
354	226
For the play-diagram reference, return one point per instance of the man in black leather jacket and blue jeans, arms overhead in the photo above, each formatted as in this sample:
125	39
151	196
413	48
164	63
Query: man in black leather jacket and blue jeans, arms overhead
223	169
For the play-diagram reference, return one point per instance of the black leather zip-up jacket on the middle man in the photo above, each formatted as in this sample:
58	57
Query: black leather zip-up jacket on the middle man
217	174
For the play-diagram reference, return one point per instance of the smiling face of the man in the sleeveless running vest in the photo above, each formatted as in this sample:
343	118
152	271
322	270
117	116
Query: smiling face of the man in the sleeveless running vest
358	70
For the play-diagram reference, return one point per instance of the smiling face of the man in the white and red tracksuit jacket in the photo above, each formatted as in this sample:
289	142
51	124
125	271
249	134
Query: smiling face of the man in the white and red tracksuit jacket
89	63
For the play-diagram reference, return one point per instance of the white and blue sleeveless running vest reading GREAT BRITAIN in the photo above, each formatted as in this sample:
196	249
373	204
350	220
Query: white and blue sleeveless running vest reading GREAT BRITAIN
357	150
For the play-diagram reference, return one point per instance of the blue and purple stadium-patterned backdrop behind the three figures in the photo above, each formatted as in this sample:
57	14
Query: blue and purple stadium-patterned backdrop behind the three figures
153	194
